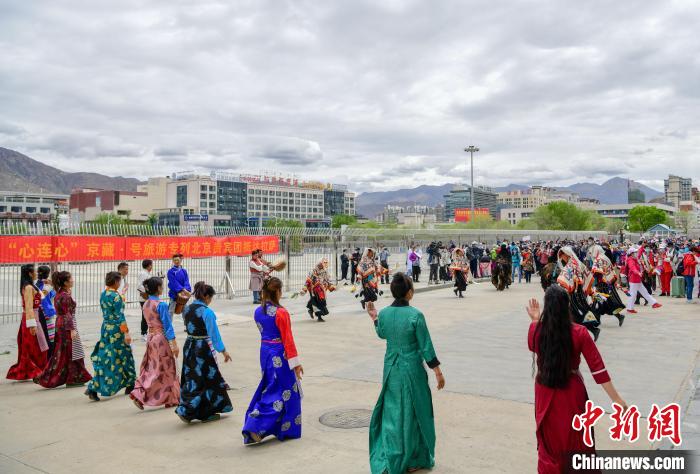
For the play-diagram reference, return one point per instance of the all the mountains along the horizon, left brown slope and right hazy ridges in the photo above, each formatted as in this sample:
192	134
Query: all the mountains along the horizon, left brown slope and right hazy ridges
19	172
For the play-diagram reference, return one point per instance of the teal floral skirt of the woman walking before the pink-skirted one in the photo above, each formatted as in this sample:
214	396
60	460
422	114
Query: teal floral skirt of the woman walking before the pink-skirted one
112	361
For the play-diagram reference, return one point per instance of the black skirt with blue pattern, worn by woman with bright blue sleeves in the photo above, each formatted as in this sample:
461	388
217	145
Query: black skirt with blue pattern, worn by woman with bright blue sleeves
202	388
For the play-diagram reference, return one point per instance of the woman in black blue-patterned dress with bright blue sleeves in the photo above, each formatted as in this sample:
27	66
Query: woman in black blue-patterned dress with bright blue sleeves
203	393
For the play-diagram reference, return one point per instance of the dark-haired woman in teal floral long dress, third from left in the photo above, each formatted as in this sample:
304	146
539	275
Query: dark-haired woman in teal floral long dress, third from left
112	359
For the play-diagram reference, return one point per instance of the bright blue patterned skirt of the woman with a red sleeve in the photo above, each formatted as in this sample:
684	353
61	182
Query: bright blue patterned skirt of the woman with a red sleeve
276	405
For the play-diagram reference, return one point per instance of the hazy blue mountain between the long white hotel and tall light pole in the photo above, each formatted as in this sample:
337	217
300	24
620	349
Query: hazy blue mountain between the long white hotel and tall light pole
371	204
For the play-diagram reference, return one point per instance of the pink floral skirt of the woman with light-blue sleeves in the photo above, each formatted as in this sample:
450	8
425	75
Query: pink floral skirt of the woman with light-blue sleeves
157	383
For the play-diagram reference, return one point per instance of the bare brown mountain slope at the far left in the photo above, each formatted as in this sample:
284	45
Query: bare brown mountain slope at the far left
18	172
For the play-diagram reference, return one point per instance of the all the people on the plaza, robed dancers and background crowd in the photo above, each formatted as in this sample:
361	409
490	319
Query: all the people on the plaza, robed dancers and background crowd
581	282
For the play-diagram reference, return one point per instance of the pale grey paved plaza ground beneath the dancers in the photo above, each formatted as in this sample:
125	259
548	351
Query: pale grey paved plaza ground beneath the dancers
484	418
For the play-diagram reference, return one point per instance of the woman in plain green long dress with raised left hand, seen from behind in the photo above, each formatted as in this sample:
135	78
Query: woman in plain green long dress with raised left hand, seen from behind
402	430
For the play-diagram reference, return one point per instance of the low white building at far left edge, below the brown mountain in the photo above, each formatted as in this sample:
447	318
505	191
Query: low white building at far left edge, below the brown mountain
31	208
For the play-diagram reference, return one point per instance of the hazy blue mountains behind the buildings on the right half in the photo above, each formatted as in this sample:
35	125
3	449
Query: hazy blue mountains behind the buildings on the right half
613	191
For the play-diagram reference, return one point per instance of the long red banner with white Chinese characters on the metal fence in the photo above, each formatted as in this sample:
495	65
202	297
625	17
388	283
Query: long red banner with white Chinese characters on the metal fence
26	249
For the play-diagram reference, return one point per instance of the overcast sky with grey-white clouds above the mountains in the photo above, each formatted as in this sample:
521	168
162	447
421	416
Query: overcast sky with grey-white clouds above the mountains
379	94
